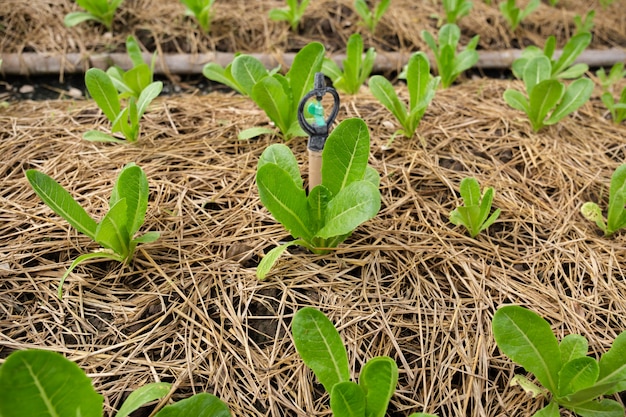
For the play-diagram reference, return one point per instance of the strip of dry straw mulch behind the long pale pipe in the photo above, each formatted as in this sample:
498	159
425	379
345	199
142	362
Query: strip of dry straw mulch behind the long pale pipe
244	26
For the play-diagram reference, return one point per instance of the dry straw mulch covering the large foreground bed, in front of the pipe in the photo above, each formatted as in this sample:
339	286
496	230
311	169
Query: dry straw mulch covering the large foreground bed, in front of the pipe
407	284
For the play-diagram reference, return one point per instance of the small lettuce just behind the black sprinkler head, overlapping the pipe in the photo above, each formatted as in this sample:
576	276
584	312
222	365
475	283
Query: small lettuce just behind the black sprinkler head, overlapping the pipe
356	67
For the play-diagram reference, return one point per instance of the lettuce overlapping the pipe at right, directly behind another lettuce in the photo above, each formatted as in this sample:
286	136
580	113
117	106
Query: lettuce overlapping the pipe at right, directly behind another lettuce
562	67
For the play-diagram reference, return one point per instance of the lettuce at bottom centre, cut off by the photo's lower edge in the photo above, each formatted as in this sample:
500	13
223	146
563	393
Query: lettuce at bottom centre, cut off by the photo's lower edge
320	346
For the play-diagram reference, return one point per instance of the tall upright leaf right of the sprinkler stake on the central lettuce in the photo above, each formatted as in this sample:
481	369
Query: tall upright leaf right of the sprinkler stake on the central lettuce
345	155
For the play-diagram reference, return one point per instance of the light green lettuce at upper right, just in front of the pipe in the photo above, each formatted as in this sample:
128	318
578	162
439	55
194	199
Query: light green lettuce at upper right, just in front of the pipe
549	100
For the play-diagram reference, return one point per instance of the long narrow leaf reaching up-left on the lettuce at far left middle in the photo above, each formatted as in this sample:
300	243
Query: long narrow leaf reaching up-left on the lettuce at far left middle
61	202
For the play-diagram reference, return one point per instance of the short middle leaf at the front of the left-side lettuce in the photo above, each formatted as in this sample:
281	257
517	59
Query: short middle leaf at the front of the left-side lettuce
112	232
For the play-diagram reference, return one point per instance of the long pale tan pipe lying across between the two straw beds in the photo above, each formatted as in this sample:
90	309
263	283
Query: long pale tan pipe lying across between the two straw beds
31	63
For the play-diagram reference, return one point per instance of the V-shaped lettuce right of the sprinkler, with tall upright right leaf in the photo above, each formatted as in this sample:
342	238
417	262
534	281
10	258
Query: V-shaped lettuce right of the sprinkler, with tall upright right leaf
421	85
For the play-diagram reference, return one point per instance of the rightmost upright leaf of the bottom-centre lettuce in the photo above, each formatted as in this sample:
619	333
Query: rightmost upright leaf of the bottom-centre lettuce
378	379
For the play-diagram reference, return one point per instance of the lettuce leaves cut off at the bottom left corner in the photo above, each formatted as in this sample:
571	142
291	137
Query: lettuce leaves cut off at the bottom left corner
44	383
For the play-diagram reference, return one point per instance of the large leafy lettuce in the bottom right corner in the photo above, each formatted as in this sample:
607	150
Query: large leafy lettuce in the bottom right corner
574	380
